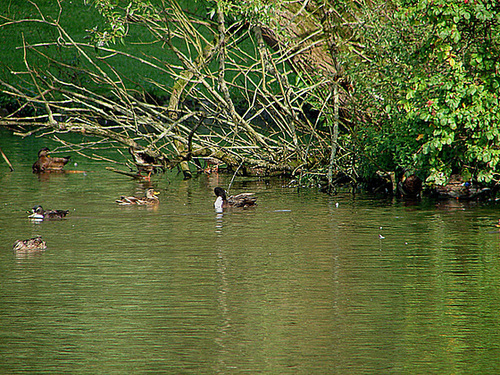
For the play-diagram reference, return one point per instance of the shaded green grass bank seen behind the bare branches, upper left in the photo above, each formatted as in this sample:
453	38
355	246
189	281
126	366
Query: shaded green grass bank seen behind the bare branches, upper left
76	18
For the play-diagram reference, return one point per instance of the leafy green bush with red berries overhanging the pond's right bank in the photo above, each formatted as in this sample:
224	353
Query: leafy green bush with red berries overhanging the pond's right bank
436	67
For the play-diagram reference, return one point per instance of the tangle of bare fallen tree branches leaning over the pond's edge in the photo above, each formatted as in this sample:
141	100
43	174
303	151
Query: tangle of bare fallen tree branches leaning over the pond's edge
242	107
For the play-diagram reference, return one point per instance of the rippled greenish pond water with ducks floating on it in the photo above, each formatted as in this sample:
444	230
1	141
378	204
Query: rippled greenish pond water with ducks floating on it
304	283
